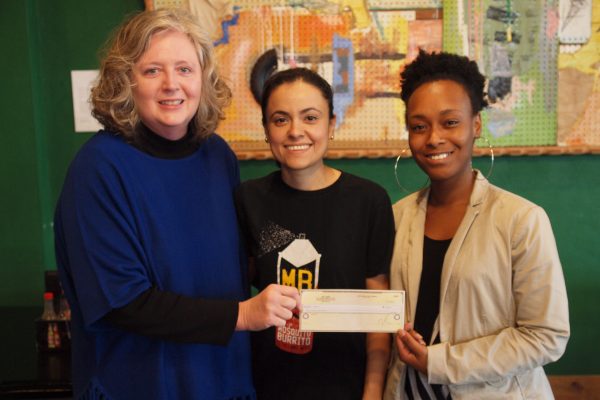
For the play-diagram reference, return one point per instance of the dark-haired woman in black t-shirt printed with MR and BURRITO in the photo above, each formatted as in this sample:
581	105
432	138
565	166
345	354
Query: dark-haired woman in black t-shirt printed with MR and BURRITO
309	225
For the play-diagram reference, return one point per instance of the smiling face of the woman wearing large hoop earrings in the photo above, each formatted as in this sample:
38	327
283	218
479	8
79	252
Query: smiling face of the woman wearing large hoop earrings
442	130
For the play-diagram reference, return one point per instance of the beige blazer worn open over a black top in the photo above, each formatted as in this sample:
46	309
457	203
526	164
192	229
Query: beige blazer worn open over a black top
503	303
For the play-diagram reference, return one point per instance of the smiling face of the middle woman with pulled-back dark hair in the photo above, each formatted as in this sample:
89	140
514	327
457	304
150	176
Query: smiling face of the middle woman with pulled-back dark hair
298	127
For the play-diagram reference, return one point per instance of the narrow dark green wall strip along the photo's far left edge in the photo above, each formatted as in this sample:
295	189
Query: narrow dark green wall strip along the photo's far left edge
20	233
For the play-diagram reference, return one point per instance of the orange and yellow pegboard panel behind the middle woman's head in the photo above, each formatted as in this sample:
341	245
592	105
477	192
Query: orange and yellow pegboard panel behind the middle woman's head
358	47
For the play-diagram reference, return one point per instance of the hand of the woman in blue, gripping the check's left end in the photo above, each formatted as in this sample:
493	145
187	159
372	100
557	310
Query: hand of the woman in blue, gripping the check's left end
271	307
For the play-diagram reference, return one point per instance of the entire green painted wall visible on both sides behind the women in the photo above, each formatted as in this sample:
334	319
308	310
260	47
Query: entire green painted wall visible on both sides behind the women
44	40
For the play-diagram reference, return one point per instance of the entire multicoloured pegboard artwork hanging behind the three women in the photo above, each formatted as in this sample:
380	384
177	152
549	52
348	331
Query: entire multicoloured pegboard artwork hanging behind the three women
360	47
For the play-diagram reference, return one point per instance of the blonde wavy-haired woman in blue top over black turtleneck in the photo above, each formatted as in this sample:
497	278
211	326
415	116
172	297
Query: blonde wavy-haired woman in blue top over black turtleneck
146	234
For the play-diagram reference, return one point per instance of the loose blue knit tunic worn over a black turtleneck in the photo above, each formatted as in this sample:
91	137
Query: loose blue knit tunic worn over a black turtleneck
127	221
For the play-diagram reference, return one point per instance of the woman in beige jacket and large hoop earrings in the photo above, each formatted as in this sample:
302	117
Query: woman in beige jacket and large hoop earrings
486	299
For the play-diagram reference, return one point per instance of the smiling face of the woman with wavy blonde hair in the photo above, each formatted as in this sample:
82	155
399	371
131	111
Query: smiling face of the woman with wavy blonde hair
167	84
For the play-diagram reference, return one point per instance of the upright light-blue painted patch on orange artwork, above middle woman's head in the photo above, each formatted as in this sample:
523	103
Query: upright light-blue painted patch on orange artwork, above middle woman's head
343	76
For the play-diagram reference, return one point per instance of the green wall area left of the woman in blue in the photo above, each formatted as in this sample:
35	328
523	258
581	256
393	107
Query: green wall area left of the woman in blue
42	41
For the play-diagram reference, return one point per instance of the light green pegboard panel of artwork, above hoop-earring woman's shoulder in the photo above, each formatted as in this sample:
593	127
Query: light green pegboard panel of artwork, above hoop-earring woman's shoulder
515	44
